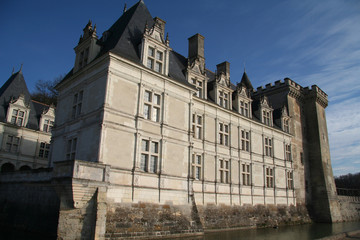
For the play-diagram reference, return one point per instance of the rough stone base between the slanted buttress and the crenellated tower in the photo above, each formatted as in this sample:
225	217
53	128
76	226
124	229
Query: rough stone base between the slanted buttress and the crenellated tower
224	217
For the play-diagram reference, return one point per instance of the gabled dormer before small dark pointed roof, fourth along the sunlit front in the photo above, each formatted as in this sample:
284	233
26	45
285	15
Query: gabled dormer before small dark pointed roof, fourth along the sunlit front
242	97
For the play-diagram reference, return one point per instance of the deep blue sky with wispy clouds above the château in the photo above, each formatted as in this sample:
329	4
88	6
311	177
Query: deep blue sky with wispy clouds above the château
312	42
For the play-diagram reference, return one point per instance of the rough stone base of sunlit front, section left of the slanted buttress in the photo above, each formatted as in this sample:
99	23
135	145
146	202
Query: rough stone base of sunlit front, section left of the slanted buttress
147	219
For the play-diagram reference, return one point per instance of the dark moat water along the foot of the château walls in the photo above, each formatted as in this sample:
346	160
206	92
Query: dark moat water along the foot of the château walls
299	232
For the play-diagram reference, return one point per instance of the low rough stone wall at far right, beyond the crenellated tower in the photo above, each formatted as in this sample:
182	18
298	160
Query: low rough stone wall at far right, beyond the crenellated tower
350	208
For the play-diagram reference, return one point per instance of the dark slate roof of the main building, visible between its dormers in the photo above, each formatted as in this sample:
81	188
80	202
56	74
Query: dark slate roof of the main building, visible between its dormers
124	38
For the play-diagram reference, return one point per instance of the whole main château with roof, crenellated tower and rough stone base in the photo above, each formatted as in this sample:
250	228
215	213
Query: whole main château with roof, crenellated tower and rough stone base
148	142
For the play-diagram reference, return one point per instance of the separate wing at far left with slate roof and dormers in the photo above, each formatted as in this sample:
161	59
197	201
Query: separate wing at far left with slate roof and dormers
25	127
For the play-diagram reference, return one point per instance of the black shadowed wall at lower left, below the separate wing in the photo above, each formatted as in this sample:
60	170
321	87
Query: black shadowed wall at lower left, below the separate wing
28	202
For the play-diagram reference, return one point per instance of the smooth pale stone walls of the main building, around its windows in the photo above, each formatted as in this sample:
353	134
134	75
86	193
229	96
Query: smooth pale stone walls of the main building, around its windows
112	127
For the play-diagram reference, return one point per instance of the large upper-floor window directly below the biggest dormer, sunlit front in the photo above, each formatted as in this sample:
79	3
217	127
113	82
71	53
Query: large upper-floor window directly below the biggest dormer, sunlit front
152	102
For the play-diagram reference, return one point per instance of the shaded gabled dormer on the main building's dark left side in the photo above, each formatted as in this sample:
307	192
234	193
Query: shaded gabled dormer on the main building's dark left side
87	48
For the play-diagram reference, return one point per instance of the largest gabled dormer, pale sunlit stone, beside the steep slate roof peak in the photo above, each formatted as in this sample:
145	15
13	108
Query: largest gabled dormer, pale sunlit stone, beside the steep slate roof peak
155	48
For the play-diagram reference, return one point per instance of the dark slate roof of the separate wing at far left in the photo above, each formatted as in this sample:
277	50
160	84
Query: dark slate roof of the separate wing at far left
12	89
